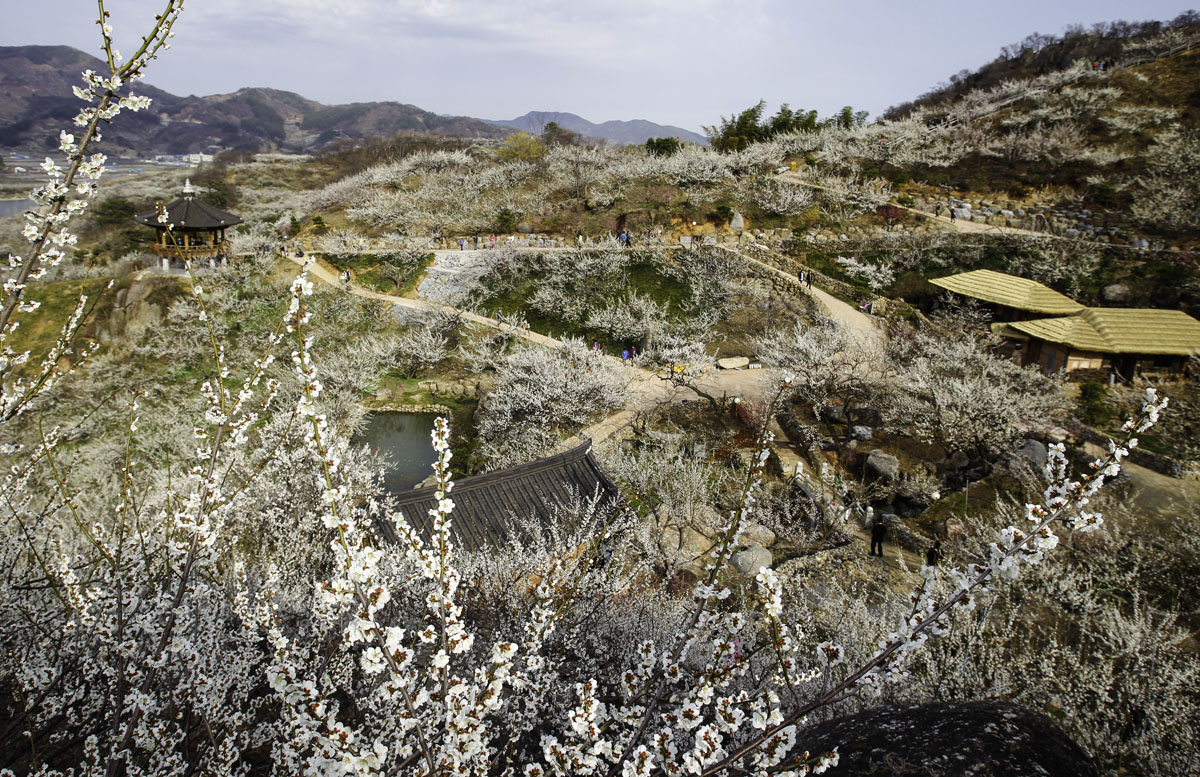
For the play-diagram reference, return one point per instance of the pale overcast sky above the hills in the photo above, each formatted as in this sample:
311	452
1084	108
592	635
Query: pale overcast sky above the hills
685	63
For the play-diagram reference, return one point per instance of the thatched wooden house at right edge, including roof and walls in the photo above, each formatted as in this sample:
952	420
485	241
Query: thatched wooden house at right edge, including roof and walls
1125	342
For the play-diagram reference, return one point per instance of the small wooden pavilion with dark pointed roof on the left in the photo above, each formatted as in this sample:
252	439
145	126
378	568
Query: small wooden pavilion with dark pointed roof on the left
197	231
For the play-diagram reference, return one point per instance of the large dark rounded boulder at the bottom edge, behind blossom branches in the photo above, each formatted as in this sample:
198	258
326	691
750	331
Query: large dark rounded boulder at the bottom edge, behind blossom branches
955	739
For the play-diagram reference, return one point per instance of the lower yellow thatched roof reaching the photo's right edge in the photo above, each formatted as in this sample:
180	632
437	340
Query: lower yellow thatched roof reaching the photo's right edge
1120	332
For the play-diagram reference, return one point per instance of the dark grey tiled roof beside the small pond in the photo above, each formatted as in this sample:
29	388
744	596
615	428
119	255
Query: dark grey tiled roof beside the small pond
487	504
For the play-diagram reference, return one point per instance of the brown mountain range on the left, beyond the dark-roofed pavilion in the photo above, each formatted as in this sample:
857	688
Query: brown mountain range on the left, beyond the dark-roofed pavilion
37	83
